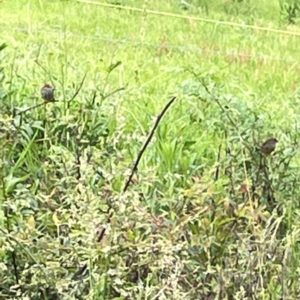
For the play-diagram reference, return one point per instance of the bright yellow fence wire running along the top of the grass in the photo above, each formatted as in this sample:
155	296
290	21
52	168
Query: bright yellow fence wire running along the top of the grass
161	13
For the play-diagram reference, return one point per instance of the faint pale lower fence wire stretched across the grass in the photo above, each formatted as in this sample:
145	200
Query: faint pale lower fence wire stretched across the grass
169	46
